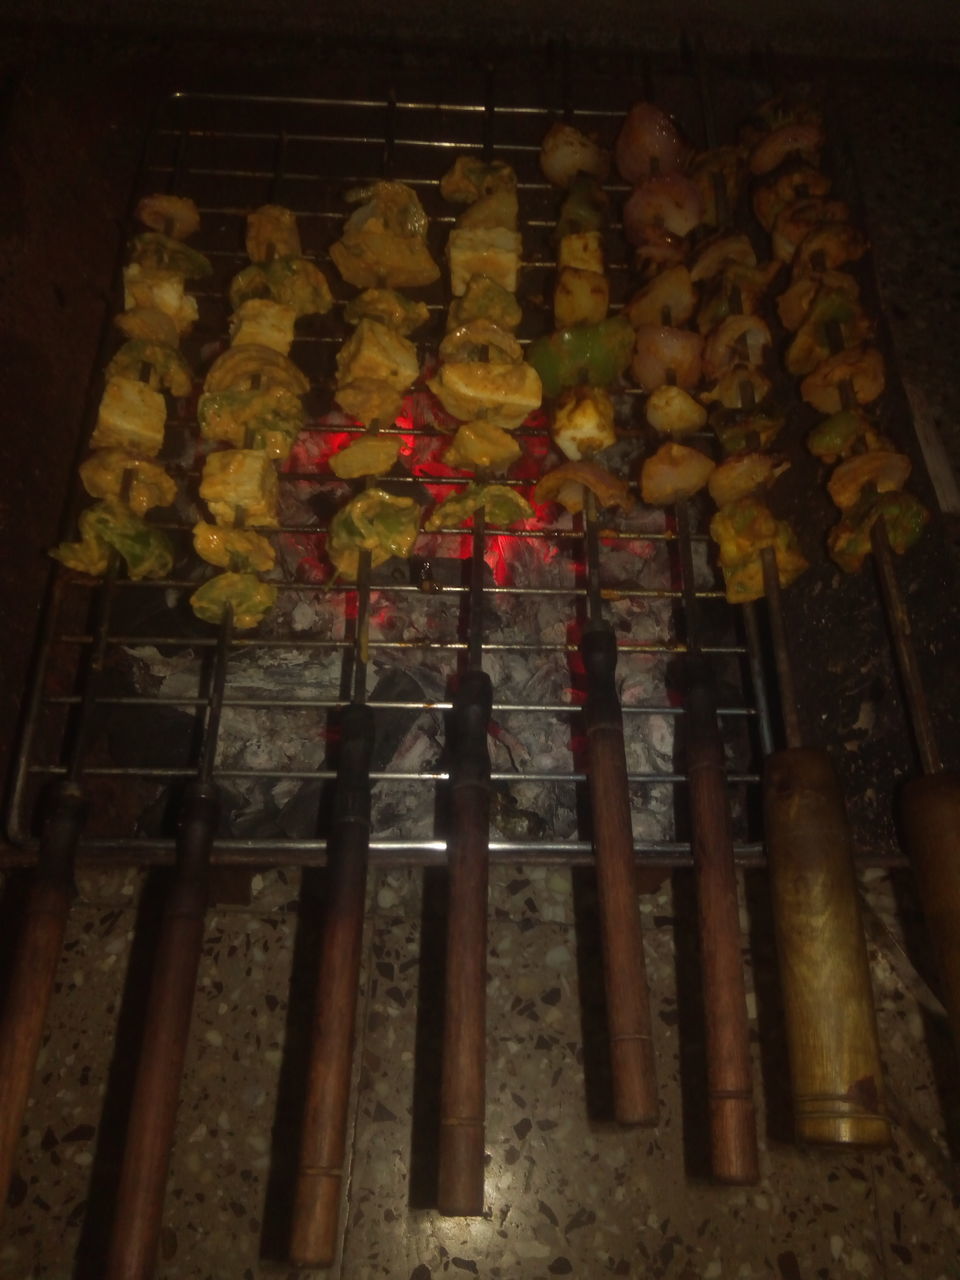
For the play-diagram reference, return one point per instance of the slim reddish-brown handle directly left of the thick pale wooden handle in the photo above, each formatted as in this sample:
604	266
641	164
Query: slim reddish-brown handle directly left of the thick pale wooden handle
729	1076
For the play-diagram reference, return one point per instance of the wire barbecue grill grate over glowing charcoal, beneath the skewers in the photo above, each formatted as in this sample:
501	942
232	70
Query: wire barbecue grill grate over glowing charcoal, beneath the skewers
124	669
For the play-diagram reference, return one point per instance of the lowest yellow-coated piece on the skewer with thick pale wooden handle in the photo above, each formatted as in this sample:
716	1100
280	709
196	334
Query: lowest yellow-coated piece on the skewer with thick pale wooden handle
742	531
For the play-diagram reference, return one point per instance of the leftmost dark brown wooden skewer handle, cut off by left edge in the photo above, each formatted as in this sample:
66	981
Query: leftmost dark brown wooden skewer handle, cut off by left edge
35	967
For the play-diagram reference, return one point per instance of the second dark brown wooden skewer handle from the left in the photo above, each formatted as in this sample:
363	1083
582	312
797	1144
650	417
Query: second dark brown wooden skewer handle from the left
140	1199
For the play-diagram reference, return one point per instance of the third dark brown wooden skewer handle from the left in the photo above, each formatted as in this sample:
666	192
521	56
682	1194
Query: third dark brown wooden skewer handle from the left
317	1205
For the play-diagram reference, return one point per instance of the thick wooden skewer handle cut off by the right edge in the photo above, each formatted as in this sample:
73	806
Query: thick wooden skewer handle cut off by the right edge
931	819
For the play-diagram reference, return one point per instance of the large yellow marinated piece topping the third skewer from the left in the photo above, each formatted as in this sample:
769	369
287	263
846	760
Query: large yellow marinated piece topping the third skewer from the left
383	243
